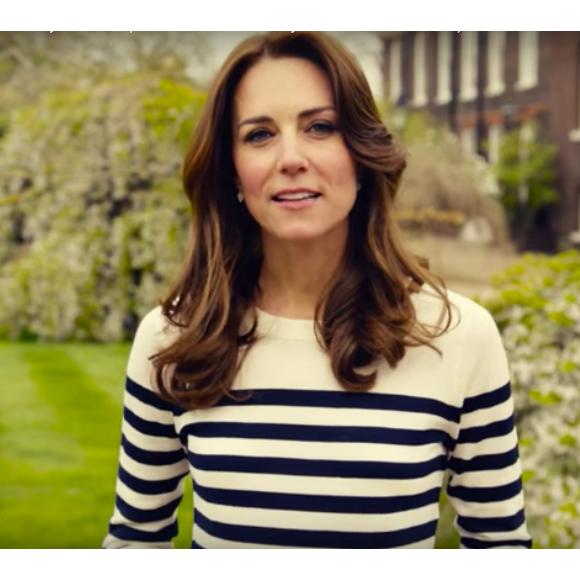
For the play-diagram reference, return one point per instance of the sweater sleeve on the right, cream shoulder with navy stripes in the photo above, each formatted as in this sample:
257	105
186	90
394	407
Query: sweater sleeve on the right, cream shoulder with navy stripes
485	475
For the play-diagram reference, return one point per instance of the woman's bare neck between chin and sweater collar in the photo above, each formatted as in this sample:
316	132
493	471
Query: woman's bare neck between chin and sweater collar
295	275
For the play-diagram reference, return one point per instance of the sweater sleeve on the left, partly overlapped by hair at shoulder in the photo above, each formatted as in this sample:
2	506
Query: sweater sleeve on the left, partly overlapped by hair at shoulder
152	463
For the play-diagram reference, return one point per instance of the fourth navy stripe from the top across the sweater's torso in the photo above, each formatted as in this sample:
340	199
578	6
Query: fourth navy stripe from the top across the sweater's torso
317	503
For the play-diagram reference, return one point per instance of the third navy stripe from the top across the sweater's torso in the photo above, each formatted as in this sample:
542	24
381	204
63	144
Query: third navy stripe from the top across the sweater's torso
318	468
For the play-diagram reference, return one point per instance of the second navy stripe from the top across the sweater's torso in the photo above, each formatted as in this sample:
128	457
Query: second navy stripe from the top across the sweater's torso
320	434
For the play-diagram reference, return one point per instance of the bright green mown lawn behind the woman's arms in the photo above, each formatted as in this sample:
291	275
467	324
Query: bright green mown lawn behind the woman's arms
60	420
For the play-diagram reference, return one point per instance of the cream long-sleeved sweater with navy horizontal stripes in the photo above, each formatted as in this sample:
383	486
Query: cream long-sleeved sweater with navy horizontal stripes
304	464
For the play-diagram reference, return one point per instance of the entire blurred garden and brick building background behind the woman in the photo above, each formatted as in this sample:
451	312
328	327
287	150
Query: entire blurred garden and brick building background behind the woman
94	224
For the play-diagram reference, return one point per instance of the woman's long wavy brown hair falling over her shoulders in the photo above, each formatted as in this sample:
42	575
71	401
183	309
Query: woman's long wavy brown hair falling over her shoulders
366	312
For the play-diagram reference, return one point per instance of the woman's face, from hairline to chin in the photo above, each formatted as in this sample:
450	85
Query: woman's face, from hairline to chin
293	167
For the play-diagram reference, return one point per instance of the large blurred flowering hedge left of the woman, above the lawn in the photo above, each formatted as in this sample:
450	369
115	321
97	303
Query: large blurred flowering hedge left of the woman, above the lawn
93	221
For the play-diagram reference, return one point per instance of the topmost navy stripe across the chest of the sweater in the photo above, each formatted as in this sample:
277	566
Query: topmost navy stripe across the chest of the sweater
344	400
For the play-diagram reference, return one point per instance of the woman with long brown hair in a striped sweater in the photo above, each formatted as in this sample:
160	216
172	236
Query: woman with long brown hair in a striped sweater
310	374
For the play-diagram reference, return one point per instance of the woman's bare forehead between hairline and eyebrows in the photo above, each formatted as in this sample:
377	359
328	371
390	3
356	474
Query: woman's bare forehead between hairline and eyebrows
281	85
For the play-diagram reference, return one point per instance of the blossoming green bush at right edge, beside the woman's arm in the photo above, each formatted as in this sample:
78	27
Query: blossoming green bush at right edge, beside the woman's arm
537	307
